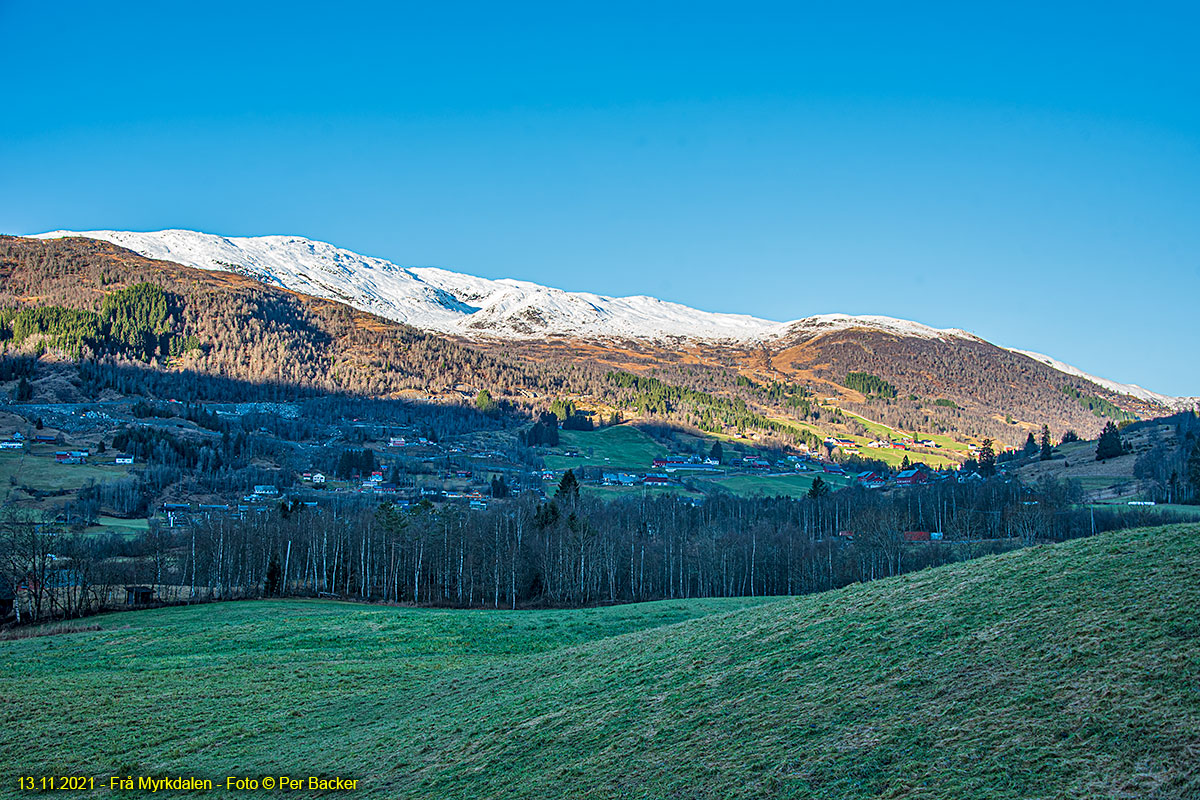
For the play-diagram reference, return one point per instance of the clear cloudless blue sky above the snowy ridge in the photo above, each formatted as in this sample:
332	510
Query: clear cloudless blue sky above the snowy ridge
1025	173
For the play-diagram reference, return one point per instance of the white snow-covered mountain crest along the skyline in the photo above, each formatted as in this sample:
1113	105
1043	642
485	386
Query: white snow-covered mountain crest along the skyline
464	305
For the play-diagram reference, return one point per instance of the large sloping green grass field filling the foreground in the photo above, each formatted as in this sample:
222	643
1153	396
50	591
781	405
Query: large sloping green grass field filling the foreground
1063	671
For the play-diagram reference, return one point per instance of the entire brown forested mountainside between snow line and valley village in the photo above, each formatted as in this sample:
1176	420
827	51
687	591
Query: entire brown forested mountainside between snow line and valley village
110	308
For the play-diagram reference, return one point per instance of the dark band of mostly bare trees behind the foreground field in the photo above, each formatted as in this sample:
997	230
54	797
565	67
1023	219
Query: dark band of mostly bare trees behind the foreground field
569	551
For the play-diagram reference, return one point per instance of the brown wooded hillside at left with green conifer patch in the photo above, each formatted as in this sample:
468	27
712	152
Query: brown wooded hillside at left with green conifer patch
98	300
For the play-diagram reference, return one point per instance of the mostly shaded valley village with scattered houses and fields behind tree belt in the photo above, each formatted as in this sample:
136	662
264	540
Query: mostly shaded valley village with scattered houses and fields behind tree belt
58	459
